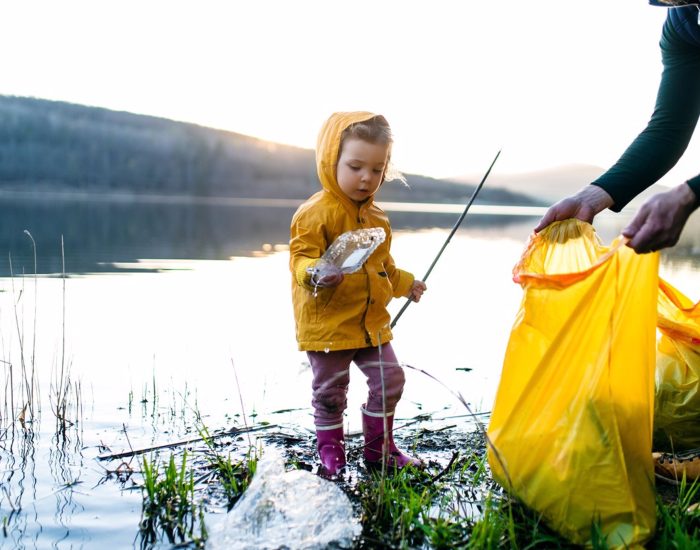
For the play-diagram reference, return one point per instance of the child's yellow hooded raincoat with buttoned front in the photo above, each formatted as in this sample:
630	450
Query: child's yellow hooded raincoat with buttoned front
353	314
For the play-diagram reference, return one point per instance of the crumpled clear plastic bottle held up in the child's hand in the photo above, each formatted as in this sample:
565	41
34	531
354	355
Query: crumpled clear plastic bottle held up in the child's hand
348	252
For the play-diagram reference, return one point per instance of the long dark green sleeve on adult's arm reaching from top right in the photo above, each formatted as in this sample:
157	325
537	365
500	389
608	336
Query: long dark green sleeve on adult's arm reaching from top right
657	149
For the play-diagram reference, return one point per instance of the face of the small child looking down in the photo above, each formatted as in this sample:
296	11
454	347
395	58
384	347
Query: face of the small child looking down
360	168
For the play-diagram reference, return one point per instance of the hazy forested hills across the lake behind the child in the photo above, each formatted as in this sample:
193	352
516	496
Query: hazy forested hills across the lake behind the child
56	146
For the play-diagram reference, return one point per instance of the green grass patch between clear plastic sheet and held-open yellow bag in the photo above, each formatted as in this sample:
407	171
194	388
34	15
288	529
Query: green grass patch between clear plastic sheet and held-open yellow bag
456	507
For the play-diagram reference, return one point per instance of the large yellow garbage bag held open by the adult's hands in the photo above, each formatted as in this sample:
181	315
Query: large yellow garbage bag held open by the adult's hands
571	427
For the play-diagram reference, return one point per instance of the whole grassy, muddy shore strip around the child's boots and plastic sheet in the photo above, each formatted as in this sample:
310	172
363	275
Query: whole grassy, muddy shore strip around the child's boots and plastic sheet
452	503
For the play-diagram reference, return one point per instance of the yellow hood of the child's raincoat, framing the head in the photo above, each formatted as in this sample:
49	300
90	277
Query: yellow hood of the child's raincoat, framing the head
328	148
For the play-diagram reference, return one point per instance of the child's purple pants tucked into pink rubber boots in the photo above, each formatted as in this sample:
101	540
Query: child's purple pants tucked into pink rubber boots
331	373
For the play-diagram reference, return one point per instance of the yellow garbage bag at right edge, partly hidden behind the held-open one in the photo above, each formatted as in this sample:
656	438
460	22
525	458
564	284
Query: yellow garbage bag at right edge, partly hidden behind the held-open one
677	399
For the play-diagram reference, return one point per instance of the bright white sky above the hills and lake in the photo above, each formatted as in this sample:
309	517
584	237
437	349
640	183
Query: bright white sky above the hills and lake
548	82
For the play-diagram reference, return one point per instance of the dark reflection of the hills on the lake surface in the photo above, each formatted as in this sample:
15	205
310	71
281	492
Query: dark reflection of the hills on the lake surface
100	234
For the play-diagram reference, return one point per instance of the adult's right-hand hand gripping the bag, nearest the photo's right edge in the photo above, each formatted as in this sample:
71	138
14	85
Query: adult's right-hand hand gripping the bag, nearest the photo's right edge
660	220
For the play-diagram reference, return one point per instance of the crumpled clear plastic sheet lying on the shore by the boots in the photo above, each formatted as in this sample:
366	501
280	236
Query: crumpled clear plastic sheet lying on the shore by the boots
294	510
